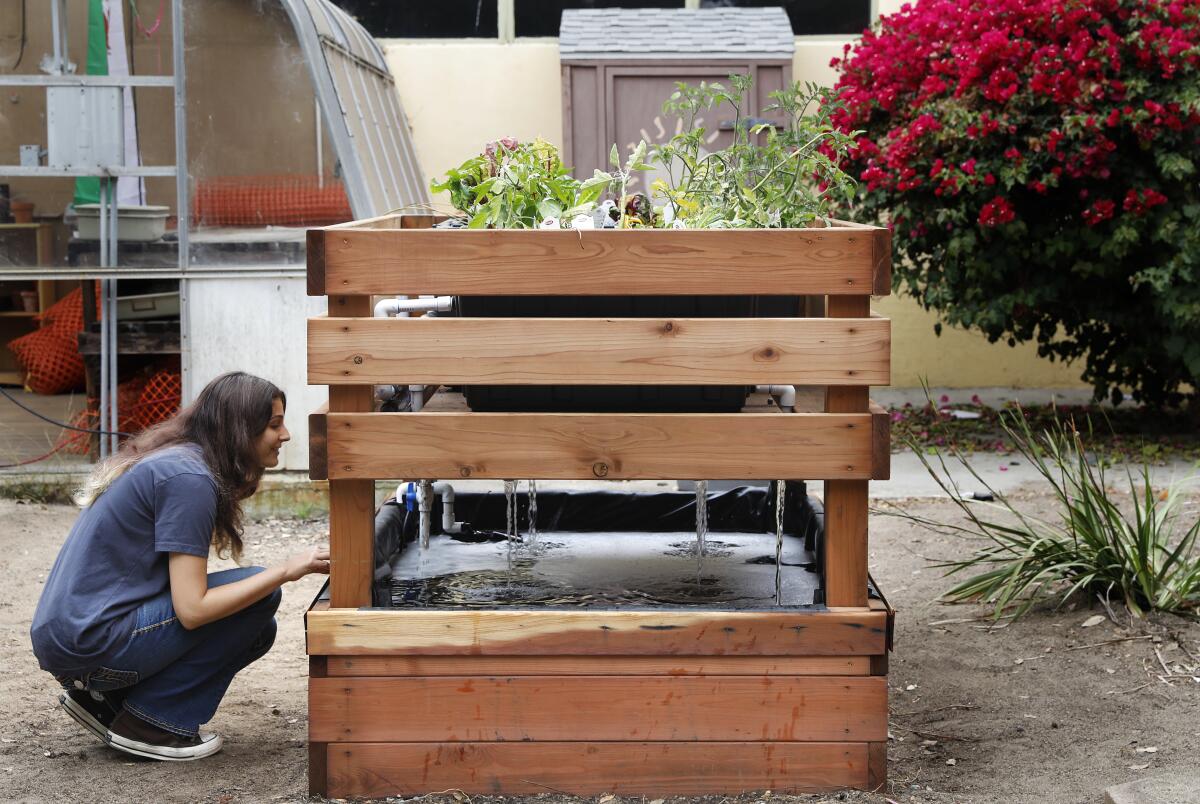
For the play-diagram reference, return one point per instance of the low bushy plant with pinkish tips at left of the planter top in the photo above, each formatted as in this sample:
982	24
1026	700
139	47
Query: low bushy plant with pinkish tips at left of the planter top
515	185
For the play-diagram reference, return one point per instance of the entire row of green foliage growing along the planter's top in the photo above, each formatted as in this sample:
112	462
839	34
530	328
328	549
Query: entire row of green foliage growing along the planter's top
769	177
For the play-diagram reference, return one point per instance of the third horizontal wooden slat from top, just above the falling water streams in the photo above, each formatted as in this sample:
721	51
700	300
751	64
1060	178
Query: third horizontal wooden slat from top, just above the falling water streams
617	447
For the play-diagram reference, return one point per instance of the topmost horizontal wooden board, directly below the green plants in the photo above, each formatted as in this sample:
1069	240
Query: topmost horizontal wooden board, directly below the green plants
647	262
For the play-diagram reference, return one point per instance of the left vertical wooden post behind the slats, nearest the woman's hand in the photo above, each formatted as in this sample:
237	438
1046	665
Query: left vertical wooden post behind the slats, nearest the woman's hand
351	502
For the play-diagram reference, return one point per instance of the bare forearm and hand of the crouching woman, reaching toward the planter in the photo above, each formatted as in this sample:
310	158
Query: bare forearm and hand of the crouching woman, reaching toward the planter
197	605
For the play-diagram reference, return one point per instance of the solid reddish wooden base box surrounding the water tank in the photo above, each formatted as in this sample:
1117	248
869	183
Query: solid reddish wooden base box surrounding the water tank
634	703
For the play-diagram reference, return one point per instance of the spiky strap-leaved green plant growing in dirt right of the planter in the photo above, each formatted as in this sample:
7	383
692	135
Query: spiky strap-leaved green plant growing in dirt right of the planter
1138	555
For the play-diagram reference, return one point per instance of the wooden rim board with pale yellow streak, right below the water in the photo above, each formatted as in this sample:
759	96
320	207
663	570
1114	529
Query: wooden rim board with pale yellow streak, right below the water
346	632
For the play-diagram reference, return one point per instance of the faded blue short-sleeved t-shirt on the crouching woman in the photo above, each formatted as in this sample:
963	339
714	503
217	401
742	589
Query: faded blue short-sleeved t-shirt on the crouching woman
116	557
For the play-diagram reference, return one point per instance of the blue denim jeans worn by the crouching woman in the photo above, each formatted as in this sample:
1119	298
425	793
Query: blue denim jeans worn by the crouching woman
176	679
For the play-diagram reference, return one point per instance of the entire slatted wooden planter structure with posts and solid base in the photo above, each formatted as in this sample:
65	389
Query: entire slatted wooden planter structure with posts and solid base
590	701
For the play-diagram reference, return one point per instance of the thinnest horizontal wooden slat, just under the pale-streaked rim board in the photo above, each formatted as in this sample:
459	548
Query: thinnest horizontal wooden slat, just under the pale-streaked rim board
671	667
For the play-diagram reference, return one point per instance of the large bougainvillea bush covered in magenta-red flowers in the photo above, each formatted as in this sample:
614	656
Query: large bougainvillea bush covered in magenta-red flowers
1037	160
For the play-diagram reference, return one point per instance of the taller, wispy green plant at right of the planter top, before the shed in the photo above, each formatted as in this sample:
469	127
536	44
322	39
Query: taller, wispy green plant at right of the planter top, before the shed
770	176
